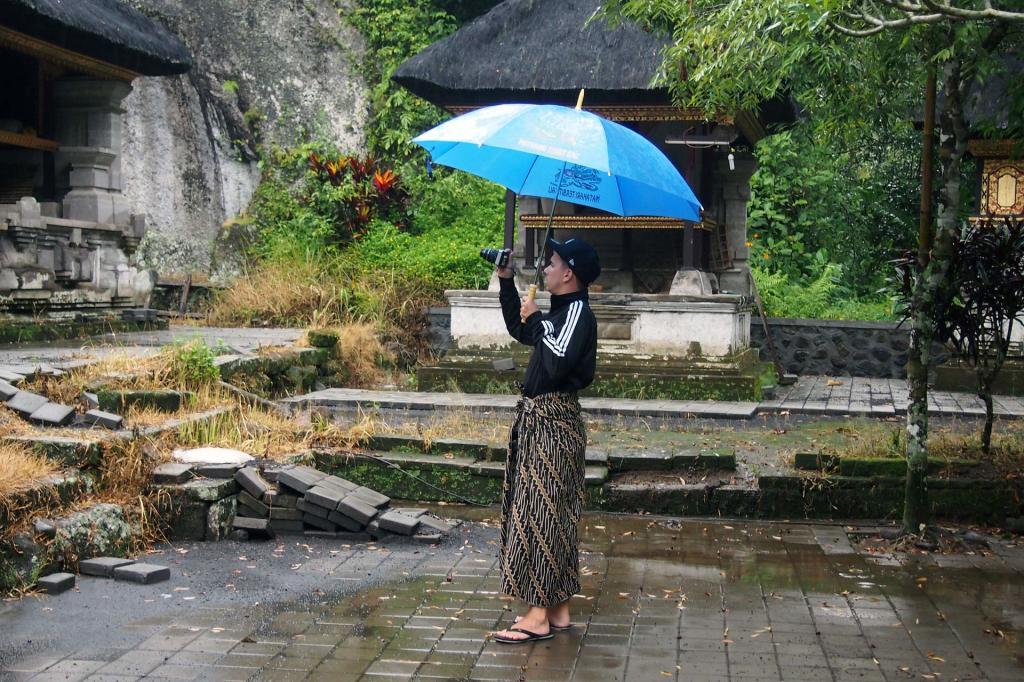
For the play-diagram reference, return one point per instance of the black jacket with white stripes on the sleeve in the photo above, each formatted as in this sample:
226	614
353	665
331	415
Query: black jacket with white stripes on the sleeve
565	342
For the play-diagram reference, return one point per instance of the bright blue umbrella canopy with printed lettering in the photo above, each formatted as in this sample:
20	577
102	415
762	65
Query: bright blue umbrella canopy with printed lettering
564	153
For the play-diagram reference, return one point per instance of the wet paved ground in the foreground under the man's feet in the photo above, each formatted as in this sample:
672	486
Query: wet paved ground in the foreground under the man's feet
661	600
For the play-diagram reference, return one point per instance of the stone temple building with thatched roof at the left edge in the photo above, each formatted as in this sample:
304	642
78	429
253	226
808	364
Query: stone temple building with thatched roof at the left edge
67	231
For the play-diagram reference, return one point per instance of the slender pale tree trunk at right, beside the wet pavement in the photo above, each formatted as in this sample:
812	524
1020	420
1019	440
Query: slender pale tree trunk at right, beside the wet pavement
929	288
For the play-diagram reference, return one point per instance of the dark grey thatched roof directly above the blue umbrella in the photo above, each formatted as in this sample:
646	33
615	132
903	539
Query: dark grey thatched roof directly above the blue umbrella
541	51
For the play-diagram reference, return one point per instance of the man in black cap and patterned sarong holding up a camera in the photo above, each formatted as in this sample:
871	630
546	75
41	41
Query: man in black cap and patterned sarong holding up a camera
543	493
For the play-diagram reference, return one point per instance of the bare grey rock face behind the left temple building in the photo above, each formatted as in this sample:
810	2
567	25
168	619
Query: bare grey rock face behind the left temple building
265	72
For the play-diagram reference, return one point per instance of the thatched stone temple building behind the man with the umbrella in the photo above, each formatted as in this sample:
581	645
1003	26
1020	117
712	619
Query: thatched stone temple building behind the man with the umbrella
674	300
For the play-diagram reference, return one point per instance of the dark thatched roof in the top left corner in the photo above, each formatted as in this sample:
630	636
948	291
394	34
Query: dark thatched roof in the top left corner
106	30
